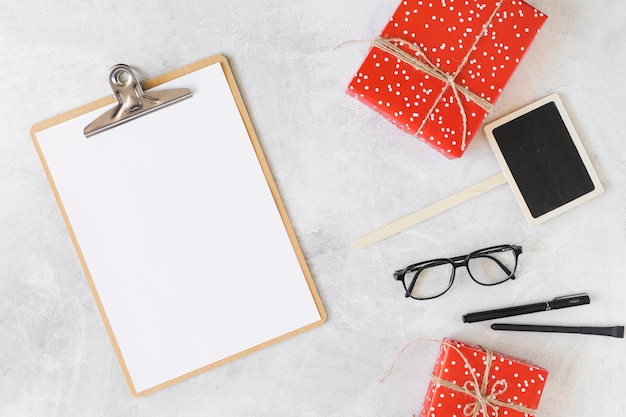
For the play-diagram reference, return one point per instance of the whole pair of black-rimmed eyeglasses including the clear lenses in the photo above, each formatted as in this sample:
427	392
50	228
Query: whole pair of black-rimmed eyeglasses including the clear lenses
431	279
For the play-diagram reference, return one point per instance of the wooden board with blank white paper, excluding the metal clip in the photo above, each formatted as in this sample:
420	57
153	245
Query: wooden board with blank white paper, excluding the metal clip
180	230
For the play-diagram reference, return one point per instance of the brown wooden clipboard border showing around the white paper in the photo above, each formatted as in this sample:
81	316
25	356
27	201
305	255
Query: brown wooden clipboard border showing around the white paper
151	83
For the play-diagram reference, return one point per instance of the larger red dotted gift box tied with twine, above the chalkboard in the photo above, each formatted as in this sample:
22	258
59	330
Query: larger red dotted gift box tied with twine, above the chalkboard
439	66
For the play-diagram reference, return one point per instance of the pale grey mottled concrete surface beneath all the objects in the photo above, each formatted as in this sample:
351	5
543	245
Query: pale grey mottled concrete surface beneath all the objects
342	171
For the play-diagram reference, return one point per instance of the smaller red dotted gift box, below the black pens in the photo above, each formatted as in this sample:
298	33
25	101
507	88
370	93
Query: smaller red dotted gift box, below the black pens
509	380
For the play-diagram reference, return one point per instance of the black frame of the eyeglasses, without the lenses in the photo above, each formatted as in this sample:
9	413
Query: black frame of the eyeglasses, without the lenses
458	262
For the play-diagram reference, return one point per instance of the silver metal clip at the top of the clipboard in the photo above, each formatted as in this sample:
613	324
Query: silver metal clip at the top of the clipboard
132	101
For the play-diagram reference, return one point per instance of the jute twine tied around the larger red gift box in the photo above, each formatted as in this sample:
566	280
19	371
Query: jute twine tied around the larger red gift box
392	47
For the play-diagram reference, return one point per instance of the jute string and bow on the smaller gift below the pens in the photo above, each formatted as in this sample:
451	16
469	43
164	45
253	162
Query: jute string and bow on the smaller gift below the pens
483	399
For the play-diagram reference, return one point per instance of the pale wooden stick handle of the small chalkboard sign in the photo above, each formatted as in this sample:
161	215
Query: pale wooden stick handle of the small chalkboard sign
430	211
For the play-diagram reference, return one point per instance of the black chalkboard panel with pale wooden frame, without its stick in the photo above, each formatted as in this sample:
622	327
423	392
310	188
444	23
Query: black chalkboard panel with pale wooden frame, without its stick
543	159
